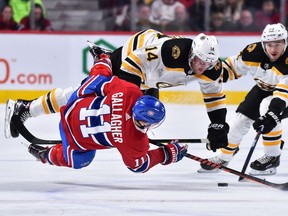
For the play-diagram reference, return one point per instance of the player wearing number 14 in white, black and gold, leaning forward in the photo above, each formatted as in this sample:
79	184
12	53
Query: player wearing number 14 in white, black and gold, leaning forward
151	59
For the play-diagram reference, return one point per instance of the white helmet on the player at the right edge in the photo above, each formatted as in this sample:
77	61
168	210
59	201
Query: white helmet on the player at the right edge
274	32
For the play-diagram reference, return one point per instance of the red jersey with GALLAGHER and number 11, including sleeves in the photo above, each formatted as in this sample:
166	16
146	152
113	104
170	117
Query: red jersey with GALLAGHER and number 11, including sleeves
99	116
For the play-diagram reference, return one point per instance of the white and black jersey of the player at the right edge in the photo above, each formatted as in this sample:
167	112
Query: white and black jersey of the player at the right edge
269	76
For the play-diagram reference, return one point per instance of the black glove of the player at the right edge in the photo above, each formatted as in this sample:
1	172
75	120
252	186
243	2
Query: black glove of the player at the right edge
268	122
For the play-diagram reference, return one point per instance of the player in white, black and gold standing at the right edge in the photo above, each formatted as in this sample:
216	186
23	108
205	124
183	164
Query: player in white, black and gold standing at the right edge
267	63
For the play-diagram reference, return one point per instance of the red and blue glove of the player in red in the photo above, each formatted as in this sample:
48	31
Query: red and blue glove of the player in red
173	152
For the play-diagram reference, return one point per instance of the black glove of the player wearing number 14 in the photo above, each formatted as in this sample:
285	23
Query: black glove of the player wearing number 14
217	136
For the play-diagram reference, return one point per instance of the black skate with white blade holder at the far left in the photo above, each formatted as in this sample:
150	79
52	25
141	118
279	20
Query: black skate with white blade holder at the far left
20	108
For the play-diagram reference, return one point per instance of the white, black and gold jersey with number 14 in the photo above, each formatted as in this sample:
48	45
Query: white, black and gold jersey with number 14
161	61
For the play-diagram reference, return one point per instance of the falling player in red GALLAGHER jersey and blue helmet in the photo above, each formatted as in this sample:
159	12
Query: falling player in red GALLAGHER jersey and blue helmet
107	112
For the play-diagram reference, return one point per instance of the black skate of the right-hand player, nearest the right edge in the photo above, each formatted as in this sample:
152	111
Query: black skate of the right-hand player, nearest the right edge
266	165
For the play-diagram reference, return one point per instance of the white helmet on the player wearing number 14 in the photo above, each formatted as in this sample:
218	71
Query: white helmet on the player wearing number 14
206	48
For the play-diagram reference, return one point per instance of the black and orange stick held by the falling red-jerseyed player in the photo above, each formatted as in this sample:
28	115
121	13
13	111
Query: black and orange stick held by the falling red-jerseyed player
280	186
